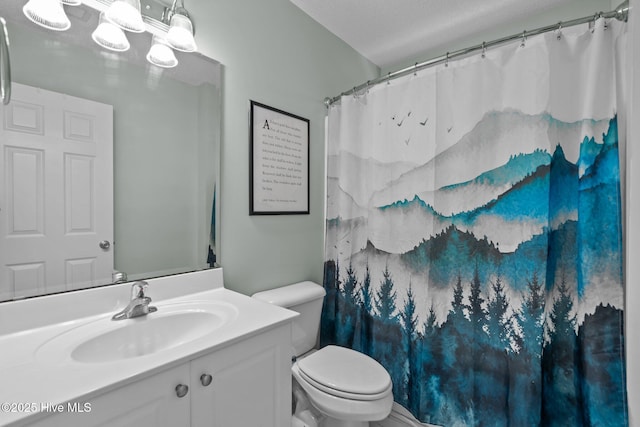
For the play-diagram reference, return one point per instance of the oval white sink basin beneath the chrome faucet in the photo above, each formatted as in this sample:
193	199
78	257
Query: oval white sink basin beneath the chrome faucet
106	340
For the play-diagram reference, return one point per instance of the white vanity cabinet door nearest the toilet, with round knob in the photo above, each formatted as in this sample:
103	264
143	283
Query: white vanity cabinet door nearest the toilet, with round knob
245	384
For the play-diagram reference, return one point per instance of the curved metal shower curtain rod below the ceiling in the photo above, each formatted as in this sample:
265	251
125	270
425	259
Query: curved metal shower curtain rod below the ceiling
621	13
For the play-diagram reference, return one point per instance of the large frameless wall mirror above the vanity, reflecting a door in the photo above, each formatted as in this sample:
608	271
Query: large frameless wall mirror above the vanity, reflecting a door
165	136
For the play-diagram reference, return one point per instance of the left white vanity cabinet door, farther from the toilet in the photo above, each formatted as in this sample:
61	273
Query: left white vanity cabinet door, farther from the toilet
151	402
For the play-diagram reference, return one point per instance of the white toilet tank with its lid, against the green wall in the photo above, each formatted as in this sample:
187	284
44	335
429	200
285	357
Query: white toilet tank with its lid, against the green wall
306	299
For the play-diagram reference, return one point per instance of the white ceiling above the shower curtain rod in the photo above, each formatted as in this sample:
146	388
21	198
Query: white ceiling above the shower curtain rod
390	31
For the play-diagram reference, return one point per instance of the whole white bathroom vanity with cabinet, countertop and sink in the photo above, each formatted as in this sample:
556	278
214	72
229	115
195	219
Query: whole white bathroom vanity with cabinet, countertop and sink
229	365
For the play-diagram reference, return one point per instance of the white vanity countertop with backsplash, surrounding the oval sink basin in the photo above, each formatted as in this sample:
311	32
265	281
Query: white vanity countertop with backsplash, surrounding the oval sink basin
26	379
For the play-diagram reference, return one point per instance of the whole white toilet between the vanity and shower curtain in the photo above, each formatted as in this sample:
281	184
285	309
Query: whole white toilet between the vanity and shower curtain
347	387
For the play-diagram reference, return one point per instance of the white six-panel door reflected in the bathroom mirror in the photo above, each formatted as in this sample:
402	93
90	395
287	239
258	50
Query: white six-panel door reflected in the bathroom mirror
56	193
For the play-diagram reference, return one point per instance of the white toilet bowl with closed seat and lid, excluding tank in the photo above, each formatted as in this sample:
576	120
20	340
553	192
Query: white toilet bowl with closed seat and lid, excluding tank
349	388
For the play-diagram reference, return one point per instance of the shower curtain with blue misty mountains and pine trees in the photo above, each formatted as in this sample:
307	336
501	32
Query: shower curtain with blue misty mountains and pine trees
474	236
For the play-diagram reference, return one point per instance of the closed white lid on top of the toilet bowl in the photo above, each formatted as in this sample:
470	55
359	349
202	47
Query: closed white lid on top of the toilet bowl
345	370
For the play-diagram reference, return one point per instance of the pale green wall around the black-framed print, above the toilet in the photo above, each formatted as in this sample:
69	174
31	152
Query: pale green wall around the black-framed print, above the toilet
271	52
